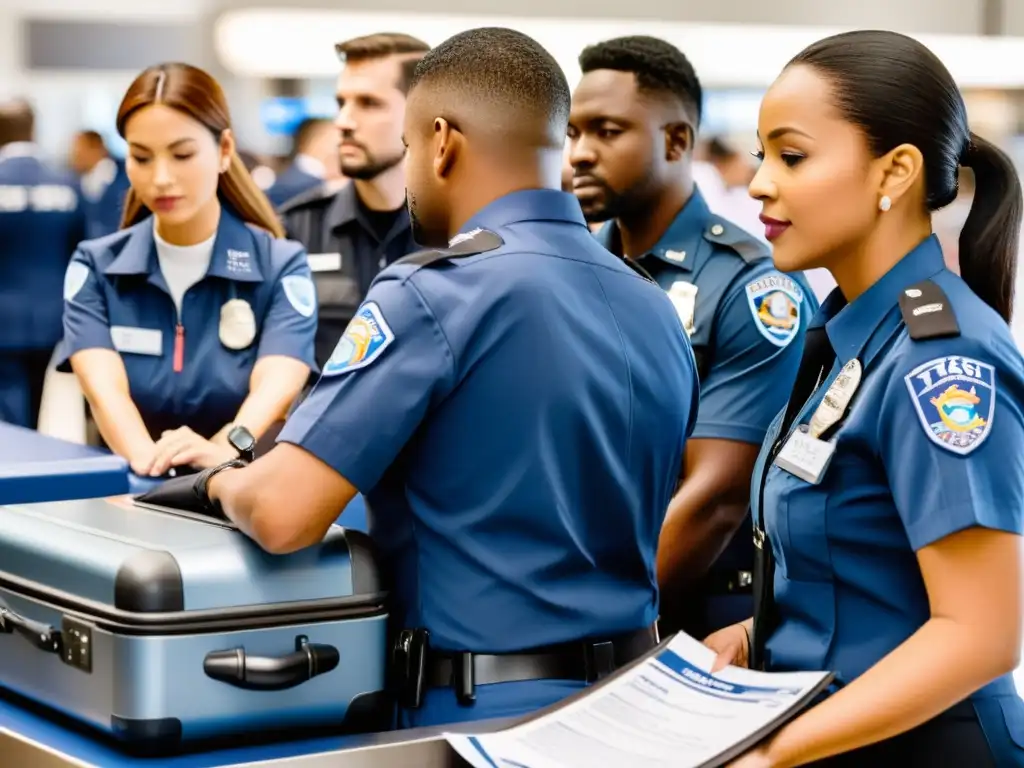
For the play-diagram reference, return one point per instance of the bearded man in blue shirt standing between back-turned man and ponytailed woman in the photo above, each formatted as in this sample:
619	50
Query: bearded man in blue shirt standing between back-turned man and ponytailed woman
635	116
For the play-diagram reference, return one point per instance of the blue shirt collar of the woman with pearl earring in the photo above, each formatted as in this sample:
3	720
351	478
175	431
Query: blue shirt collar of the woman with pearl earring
851	327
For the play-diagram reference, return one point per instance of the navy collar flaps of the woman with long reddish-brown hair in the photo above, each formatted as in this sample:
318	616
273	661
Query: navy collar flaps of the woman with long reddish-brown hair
233	257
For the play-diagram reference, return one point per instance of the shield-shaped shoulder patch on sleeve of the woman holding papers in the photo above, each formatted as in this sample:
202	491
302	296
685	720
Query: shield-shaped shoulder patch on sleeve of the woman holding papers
955	399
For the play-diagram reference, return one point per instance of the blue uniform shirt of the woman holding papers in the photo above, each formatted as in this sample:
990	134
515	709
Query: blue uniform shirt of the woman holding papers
933	445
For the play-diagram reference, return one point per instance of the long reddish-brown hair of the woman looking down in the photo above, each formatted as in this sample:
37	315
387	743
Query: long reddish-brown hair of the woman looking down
197	95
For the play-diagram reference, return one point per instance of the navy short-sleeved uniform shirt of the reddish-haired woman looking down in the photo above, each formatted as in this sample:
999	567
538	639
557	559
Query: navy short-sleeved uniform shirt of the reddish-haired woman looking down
258	300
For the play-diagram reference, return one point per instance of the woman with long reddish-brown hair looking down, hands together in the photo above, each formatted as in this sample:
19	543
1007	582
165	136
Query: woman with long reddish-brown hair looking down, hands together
197	318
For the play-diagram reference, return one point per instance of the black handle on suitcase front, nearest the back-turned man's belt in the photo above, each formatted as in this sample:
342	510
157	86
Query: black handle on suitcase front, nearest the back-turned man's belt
238	669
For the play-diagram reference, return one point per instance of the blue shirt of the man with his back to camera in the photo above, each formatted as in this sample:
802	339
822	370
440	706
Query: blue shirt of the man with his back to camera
517	420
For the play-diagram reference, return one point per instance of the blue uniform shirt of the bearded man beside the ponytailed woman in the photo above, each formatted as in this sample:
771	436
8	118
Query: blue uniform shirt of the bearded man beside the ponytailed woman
746	319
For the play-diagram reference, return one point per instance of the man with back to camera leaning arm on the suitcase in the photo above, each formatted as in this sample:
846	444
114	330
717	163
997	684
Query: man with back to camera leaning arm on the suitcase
515	405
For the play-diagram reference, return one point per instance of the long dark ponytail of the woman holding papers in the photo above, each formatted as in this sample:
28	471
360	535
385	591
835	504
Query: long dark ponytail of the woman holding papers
991	239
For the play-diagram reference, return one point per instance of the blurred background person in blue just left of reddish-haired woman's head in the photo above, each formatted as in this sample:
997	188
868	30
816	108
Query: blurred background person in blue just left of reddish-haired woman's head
104	182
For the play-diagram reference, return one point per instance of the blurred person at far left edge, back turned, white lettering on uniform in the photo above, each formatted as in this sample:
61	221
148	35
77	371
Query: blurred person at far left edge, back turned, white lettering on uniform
41	223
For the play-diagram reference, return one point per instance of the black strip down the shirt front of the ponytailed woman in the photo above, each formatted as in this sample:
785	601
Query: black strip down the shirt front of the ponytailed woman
815	365
